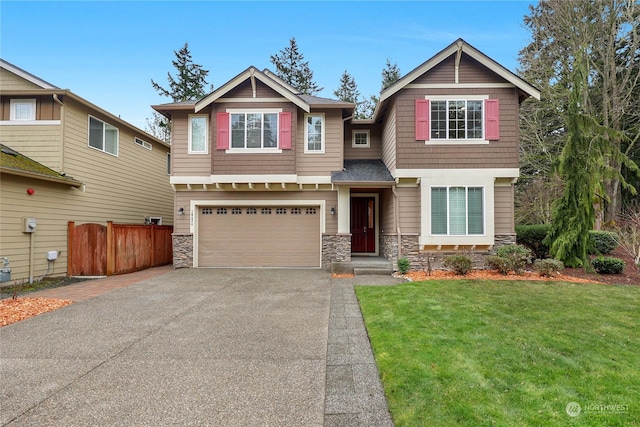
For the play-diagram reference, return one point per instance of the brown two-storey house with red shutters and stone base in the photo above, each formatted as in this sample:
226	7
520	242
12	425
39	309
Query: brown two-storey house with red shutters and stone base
269	177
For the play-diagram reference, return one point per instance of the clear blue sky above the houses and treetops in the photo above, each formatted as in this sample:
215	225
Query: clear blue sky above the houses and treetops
107	52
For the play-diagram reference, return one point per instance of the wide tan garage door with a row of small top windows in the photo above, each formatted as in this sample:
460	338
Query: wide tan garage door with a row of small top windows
267	236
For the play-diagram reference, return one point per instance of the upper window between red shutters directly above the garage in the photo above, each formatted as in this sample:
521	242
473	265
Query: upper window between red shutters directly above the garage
254	130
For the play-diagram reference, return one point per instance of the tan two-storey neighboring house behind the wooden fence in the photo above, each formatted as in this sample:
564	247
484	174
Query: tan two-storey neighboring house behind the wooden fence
65	159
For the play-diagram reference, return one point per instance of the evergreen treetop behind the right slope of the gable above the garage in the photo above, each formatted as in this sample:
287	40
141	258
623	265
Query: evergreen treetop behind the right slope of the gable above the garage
294	70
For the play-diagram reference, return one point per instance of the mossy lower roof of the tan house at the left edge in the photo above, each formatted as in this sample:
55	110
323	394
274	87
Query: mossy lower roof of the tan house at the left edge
14	163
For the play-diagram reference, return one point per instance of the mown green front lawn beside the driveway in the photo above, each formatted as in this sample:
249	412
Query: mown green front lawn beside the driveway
475	353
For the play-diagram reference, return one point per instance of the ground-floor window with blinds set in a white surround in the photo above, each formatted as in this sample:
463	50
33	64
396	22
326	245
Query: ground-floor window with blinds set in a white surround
457	211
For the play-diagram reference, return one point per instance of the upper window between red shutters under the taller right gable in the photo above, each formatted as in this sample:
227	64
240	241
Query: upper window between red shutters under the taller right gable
456	119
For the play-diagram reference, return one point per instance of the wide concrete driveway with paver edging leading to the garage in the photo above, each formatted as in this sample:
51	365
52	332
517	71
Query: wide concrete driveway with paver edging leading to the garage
195	347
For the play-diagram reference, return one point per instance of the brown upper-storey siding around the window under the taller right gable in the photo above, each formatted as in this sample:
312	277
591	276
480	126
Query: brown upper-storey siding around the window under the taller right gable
497	154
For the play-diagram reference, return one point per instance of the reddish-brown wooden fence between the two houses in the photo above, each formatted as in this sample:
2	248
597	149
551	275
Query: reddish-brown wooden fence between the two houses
96	250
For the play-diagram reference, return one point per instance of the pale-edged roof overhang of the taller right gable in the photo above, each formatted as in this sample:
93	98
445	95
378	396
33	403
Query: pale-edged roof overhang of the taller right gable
458	47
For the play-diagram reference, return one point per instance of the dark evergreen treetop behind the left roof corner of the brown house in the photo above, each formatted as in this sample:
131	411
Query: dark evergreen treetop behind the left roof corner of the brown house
191	80
